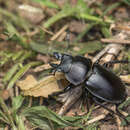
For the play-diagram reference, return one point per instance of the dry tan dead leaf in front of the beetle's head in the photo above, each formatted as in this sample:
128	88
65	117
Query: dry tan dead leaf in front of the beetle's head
48	85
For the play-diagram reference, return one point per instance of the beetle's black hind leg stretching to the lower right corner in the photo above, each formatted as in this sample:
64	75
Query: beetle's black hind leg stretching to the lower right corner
111	111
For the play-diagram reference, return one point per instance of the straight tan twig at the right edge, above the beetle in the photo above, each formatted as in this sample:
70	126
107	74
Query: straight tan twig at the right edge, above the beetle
120	41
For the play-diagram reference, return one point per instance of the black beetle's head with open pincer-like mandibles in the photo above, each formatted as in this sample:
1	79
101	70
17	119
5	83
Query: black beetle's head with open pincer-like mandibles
65	64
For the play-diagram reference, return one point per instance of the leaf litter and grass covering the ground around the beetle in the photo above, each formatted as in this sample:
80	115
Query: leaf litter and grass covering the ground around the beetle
87	38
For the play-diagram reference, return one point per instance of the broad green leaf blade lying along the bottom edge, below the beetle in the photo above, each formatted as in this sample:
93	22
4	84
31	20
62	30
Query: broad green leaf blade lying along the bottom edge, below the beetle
43	112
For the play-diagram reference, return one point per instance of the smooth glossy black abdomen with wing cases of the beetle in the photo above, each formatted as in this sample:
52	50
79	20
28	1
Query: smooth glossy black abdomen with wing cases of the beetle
106	85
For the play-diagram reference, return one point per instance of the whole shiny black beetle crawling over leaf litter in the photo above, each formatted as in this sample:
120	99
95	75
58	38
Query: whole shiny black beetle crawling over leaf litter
97	80
